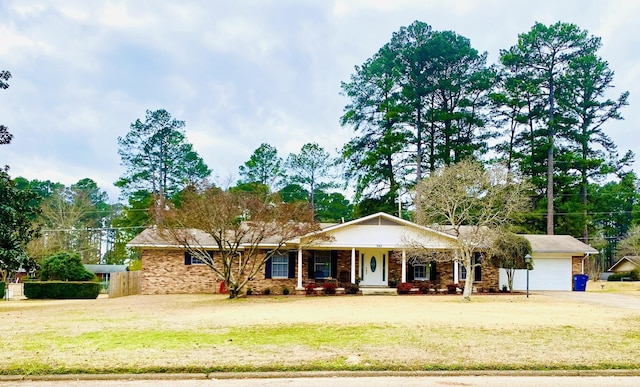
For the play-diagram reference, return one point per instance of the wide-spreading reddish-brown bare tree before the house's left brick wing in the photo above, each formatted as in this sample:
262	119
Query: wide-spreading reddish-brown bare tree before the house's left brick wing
247	230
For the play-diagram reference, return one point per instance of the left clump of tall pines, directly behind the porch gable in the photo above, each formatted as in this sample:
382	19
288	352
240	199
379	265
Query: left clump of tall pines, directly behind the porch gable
420	102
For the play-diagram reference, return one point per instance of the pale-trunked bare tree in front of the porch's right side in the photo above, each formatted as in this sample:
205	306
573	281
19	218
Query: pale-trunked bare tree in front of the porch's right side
471	203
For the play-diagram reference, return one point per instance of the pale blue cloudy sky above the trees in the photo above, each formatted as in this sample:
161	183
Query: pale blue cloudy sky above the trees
239	73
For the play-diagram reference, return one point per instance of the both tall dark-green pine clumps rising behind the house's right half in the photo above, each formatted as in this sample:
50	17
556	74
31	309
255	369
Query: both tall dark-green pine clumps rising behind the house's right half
428	98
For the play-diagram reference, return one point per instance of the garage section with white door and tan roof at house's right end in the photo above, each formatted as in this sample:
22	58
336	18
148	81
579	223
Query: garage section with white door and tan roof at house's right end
556	258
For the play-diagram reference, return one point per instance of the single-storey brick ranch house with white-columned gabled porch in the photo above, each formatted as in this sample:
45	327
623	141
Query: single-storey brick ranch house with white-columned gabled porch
375	250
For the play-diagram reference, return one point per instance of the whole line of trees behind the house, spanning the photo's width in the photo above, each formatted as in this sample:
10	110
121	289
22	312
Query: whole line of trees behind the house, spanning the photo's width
424	100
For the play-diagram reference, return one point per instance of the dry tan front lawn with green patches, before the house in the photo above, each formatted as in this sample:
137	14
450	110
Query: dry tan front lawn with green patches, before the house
208	332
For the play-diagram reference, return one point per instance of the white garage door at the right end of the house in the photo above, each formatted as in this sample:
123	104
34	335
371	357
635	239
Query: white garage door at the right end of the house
548	274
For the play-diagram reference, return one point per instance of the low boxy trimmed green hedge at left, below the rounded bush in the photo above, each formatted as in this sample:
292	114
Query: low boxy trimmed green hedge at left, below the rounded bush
61	290
